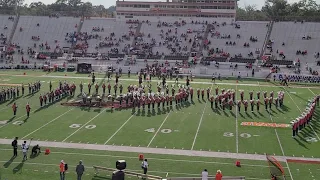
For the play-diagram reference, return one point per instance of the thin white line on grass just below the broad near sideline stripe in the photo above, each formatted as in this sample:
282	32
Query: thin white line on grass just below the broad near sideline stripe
150	158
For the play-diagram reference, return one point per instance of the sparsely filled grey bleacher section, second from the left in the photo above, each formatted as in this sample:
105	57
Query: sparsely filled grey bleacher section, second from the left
45	30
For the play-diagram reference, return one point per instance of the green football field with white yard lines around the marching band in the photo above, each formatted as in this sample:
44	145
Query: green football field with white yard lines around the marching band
192	126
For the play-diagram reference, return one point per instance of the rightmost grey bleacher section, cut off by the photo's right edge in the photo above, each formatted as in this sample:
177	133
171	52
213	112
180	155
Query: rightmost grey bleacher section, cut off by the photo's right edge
294	36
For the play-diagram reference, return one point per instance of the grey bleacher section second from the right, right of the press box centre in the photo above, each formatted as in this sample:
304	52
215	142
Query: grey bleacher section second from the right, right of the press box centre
239	35
